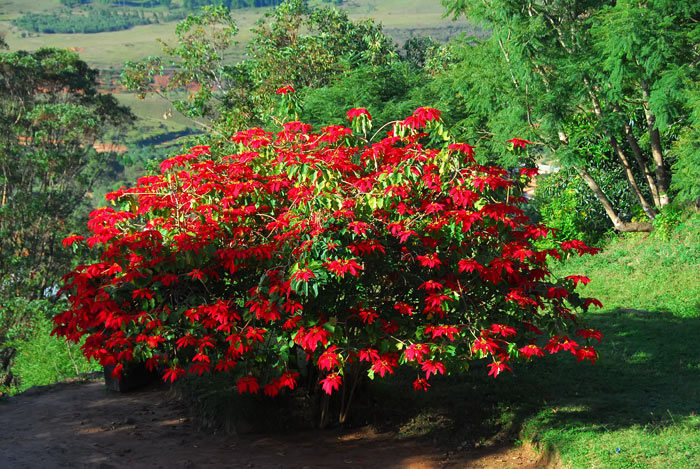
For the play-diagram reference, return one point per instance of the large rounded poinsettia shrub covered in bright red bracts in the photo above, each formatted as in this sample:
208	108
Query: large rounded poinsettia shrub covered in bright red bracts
303	250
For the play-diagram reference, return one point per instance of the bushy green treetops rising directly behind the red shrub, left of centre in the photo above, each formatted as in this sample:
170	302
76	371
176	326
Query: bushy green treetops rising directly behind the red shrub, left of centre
293	45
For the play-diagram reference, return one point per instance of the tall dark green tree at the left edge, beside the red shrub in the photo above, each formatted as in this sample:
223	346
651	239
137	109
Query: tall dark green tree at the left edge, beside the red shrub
51	114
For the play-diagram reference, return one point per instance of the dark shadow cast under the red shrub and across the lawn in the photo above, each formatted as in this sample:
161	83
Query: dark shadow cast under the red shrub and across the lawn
648	374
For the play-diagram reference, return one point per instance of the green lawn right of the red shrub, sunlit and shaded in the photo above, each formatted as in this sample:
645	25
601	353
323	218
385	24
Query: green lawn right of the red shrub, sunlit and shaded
639	405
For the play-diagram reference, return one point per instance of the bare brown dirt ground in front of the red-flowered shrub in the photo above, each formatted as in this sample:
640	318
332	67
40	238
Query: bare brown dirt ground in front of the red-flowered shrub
83	425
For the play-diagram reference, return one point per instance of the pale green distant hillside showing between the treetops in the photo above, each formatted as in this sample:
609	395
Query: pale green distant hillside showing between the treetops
108	51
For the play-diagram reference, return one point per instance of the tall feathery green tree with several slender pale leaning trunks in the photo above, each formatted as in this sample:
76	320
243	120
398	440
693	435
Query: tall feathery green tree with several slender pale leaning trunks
614	70
